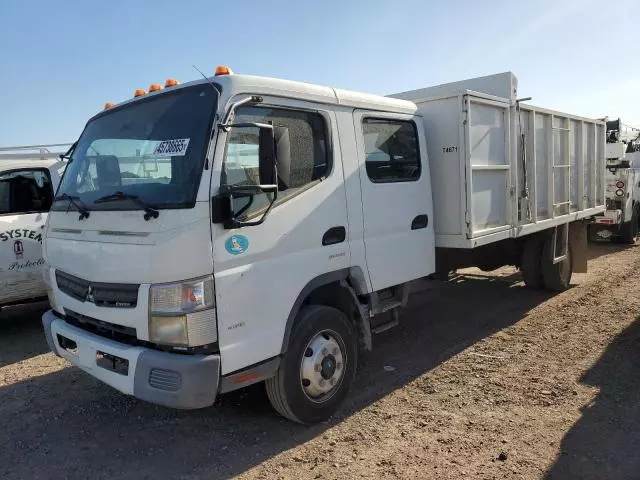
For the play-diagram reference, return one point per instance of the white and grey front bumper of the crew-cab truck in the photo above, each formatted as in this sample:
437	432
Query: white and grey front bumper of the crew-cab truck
173	380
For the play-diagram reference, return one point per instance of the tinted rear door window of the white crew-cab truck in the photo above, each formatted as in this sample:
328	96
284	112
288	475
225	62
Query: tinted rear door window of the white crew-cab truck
391	150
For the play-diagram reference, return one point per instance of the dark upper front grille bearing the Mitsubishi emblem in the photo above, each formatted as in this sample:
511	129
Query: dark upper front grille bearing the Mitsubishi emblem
112	295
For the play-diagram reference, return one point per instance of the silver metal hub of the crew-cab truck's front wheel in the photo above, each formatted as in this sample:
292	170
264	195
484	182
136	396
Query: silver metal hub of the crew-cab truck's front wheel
322	366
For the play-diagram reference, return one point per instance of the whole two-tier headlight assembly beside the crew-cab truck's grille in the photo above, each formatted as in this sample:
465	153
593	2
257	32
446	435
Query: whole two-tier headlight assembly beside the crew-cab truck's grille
183	314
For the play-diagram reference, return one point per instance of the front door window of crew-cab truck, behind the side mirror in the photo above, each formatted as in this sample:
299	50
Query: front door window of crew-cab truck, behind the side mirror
309	154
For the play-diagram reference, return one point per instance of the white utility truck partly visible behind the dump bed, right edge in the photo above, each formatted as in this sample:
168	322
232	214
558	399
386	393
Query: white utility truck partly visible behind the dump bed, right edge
621	219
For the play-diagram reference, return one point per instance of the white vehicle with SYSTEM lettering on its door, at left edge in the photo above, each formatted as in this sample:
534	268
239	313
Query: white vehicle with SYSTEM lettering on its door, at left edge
29	176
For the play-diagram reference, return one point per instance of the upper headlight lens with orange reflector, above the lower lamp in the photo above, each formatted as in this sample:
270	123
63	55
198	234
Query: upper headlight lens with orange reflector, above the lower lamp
184	297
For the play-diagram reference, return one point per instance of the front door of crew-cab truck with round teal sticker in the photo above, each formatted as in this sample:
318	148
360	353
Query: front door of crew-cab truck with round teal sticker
261	270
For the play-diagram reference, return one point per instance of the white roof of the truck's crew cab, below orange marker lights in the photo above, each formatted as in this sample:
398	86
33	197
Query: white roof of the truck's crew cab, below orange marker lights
250	84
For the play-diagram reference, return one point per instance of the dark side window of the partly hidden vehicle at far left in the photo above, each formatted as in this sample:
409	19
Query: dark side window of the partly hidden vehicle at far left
25	191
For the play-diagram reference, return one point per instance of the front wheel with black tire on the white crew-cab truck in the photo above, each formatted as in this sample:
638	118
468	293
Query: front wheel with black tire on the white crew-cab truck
318	368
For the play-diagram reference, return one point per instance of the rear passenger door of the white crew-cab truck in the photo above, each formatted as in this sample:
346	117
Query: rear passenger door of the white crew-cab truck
396	198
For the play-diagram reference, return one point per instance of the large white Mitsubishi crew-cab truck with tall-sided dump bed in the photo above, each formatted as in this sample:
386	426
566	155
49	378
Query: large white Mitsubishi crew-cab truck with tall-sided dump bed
241	229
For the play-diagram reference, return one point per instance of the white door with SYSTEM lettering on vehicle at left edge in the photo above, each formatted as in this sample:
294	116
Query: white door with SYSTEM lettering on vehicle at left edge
25	198
